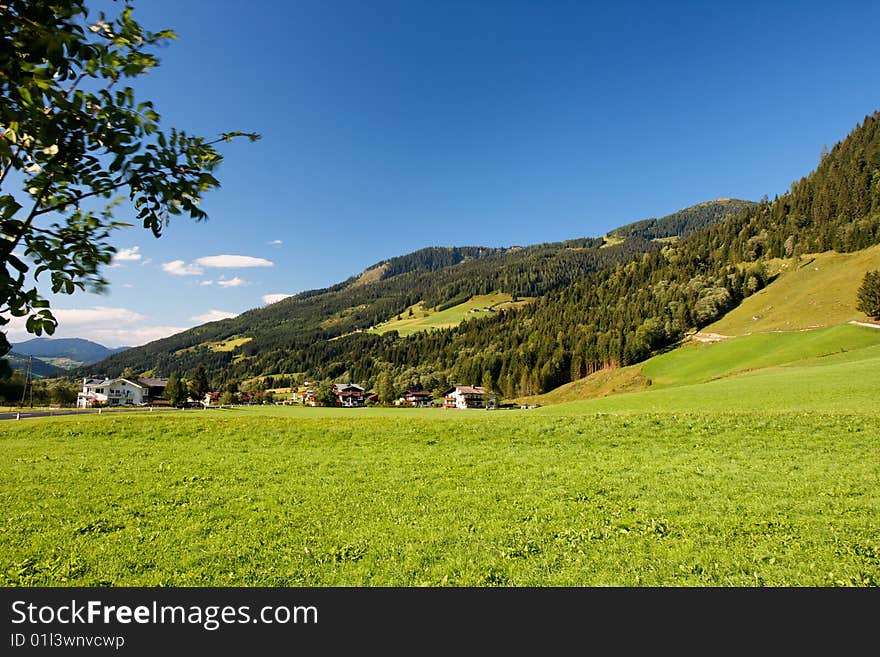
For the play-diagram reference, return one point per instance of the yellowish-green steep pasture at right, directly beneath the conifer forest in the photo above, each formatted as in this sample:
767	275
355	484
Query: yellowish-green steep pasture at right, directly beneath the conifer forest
820	291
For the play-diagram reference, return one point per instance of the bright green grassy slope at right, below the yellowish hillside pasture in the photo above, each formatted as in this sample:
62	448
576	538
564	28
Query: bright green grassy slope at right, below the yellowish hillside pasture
827	370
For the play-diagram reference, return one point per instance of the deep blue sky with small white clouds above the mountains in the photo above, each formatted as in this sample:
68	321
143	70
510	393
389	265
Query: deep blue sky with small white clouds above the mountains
391	126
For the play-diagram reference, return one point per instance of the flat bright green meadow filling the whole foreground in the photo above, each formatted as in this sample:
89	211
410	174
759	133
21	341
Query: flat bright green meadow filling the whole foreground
576	494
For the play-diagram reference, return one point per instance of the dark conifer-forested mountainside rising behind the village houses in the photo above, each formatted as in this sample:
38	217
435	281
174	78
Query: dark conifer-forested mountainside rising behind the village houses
596	307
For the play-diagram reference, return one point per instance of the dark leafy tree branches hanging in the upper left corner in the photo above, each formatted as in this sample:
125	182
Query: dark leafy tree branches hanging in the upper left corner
72	133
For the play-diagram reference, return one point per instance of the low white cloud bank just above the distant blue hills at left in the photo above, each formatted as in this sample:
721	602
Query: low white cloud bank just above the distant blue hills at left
112	327
